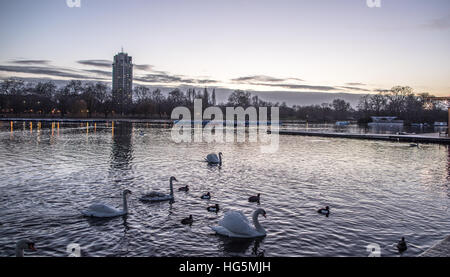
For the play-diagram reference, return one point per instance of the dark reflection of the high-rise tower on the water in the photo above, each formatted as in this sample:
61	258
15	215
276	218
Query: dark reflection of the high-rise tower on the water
122	148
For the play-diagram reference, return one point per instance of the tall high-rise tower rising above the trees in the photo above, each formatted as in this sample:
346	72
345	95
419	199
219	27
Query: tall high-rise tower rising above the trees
122	81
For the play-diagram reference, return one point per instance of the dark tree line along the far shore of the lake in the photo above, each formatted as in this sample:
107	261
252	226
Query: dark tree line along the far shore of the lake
78	99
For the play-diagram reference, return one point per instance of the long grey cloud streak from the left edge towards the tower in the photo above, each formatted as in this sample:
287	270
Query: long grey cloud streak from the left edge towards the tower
47	71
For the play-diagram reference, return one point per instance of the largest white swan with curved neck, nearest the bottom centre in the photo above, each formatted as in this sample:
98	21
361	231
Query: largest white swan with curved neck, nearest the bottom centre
235	225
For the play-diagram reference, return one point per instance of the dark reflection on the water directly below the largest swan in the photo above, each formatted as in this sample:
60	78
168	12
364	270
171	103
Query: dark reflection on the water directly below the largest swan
235	246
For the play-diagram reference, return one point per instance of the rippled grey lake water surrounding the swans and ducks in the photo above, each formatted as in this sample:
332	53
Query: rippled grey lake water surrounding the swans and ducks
377	191
